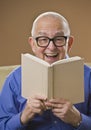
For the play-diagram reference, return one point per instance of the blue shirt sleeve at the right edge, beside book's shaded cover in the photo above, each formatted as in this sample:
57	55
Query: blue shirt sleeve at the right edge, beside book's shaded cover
86	118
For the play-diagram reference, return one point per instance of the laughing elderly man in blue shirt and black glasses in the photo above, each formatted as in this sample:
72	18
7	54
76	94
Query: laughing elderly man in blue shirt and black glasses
51	41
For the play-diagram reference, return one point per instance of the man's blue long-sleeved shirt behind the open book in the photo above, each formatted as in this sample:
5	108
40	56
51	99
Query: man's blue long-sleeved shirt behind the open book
12	104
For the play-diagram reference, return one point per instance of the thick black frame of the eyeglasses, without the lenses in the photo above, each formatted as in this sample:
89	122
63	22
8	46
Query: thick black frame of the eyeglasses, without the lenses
50	39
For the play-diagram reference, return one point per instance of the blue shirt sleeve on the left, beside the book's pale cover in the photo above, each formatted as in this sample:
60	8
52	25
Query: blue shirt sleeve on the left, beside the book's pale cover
11	104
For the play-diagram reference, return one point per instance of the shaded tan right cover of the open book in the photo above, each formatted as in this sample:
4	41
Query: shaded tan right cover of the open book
69	81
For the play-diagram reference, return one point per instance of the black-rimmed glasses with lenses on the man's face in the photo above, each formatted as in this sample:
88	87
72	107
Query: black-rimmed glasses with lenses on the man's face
43	41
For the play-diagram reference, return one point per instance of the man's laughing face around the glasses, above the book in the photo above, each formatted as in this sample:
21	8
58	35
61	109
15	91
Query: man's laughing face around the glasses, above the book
51	28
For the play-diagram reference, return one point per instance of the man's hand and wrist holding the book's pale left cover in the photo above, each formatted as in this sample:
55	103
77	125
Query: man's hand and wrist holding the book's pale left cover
34	105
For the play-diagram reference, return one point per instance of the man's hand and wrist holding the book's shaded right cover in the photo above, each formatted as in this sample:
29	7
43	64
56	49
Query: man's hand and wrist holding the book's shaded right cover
65	110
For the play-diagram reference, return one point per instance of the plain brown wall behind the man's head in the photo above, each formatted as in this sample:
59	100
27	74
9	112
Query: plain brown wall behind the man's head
16	17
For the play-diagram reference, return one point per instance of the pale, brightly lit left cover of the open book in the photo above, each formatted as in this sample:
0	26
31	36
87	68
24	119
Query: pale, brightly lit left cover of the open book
35	77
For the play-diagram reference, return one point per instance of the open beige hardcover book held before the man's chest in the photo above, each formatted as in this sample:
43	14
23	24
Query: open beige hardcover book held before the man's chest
61	79
